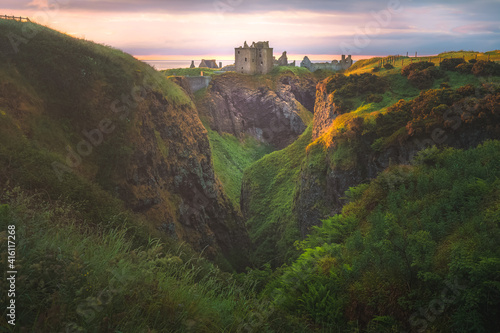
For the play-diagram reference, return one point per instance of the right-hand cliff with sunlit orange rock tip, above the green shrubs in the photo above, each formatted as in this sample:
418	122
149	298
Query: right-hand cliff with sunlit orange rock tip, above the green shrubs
345	158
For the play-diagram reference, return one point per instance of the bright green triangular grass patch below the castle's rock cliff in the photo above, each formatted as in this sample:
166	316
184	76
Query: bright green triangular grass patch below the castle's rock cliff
231	157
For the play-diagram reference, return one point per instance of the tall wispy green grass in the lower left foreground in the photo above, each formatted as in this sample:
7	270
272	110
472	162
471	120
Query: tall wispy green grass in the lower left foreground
95	279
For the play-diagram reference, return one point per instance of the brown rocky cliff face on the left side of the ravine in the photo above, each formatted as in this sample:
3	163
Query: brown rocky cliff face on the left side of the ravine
170	179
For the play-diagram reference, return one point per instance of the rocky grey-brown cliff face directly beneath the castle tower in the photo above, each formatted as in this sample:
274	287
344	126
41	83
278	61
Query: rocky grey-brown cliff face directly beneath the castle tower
273	110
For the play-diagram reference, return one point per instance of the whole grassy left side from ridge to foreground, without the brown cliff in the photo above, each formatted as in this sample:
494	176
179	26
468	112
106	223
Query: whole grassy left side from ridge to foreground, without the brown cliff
73	236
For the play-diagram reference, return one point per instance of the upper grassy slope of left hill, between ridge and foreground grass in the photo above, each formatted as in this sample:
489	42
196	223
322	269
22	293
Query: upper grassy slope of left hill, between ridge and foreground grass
49	99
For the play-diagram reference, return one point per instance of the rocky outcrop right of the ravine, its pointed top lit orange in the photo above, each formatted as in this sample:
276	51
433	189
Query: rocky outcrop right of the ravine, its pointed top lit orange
323	183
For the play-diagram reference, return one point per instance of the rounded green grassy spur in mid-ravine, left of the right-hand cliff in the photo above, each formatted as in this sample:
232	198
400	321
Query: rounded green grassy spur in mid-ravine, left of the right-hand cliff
271	184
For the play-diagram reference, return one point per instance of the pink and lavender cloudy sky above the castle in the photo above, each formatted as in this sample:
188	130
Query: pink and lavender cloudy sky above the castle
185	29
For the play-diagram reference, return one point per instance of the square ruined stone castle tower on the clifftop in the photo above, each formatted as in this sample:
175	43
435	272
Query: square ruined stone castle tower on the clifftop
254	59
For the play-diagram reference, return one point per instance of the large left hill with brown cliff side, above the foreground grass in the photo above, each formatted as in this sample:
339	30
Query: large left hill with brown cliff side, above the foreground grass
111	121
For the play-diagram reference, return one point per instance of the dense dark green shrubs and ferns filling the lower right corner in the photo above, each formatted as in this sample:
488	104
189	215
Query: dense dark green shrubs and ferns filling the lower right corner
398	246
